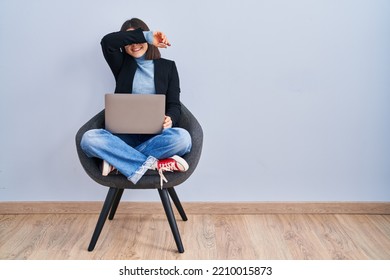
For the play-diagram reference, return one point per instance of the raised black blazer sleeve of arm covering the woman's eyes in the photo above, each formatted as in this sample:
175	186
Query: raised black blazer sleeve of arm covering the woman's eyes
113	44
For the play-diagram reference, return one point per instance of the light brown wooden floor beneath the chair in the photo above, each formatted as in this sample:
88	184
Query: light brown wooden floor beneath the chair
144	236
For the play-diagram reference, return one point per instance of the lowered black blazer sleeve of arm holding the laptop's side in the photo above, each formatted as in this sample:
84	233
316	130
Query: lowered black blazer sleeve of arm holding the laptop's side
173	95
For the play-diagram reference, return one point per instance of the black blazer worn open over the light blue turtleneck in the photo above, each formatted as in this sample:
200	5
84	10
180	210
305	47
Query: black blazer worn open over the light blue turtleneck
124	66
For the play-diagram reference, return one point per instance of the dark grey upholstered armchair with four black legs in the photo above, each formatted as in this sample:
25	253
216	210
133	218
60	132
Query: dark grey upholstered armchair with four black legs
151	180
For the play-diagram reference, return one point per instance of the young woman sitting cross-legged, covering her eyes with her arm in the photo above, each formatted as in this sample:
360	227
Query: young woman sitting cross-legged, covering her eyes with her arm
134	59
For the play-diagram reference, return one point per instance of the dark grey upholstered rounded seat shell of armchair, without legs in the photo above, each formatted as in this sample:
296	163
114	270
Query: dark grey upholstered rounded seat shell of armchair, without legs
151	179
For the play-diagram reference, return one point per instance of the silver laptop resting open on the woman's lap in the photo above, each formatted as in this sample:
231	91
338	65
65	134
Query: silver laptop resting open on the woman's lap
134	113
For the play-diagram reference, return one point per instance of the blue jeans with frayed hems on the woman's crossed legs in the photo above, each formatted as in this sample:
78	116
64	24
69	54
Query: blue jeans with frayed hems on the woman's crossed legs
134	154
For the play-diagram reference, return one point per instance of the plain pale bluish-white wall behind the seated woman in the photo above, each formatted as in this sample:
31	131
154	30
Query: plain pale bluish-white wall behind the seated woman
293	96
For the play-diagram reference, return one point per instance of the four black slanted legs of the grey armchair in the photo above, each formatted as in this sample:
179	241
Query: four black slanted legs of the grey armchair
111	203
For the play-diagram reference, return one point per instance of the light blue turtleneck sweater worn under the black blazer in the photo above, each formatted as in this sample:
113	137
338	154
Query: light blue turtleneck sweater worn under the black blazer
144	75
